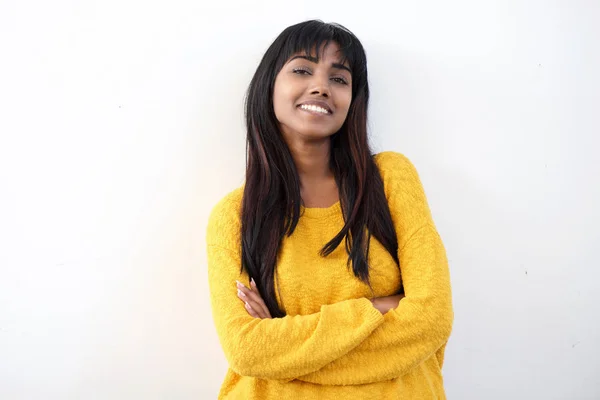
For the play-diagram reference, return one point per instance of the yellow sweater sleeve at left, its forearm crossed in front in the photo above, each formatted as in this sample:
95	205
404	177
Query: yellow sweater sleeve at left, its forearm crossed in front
277	348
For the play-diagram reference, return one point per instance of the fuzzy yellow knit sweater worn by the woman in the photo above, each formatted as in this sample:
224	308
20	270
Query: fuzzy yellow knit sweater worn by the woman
333	344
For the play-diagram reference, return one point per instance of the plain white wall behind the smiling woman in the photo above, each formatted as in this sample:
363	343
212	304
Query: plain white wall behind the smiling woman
121	126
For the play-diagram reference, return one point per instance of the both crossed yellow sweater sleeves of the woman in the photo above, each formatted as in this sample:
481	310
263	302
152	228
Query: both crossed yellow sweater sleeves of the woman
352	341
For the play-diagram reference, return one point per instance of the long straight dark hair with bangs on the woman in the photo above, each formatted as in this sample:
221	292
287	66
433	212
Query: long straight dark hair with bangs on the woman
271	200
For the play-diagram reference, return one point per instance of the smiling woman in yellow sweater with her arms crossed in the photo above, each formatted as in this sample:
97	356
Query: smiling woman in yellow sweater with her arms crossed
298	314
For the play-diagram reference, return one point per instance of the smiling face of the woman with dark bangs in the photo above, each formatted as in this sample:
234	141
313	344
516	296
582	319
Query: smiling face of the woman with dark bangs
311	100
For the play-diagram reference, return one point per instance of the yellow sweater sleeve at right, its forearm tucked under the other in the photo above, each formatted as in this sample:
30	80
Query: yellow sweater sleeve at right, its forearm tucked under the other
421	324
